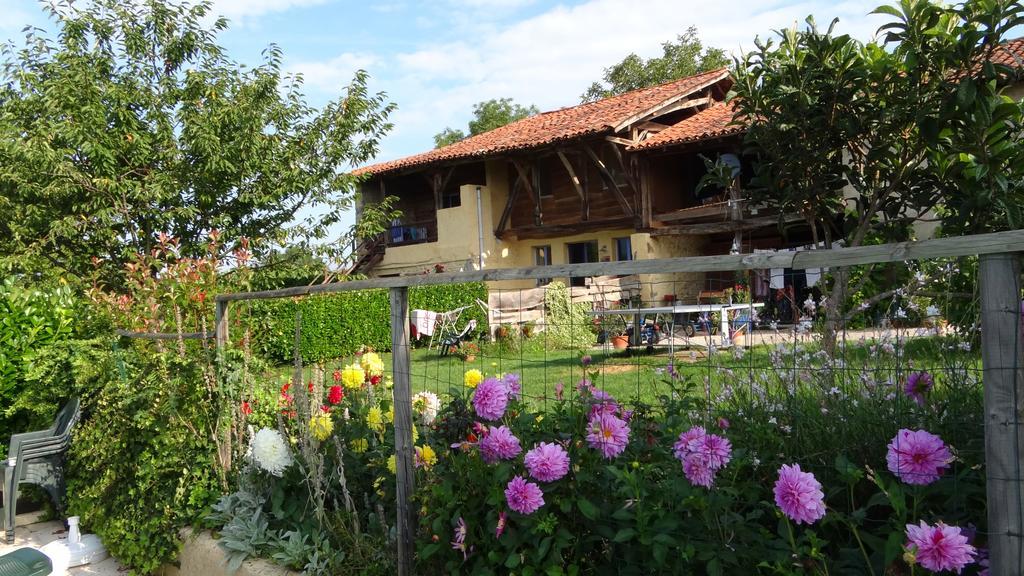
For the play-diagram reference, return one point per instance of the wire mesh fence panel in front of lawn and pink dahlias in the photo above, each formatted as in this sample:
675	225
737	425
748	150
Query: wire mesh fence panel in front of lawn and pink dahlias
875	388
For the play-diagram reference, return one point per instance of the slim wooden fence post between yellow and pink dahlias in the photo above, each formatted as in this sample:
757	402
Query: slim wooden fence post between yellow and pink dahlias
403	426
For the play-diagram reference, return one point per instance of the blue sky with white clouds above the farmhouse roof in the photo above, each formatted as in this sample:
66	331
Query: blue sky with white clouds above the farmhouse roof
437	59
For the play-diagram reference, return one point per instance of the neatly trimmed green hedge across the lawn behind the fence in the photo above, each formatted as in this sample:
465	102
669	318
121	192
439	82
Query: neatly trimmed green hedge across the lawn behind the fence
336	325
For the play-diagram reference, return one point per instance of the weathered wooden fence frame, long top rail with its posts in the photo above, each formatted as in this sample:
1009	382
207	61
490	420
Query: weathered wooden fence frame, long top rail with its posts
1002	354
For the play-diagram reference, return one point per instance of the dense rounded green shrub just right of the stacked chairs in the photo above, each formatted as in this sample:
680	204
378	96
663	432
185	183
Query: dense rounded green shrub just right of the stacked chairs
144	463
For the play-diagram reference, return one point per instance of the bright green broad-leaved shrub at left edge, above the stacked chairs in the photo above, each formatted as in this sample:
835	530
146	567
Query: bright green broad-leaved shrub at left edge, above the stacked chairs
32	320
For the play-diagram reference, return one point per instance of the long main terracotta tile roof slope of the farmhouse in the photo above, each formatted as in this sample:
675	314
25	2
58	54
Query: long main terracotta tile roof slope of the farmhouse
556	127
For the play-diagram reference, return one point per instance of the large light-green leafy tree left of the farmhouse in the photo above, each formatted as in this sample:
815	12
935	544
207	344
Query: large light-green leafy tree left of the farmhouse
132	122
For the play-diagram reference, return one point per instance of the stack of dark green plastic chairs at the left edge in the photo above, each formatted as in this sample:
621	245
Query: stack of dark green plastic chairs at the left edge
37	458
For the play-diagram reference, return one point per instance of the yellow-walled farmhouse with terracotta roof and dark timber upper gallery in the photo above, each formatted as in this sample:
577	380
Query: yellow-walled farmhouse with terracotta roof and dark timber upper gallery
614	180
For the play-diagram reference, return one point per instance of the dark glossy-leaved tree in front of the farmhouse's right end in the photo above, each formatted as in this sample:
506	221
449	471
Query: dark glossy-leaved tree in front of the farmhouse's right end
863	140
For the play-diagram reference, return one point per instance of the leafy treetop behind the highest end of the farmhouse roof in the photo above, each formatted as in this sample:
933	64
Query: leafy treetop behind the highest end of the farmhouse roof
686	57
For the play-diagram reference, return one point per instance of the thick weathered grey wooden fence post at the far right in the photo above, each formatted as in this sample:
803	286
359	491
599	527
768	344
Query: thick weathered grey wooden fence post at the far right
1001	355
